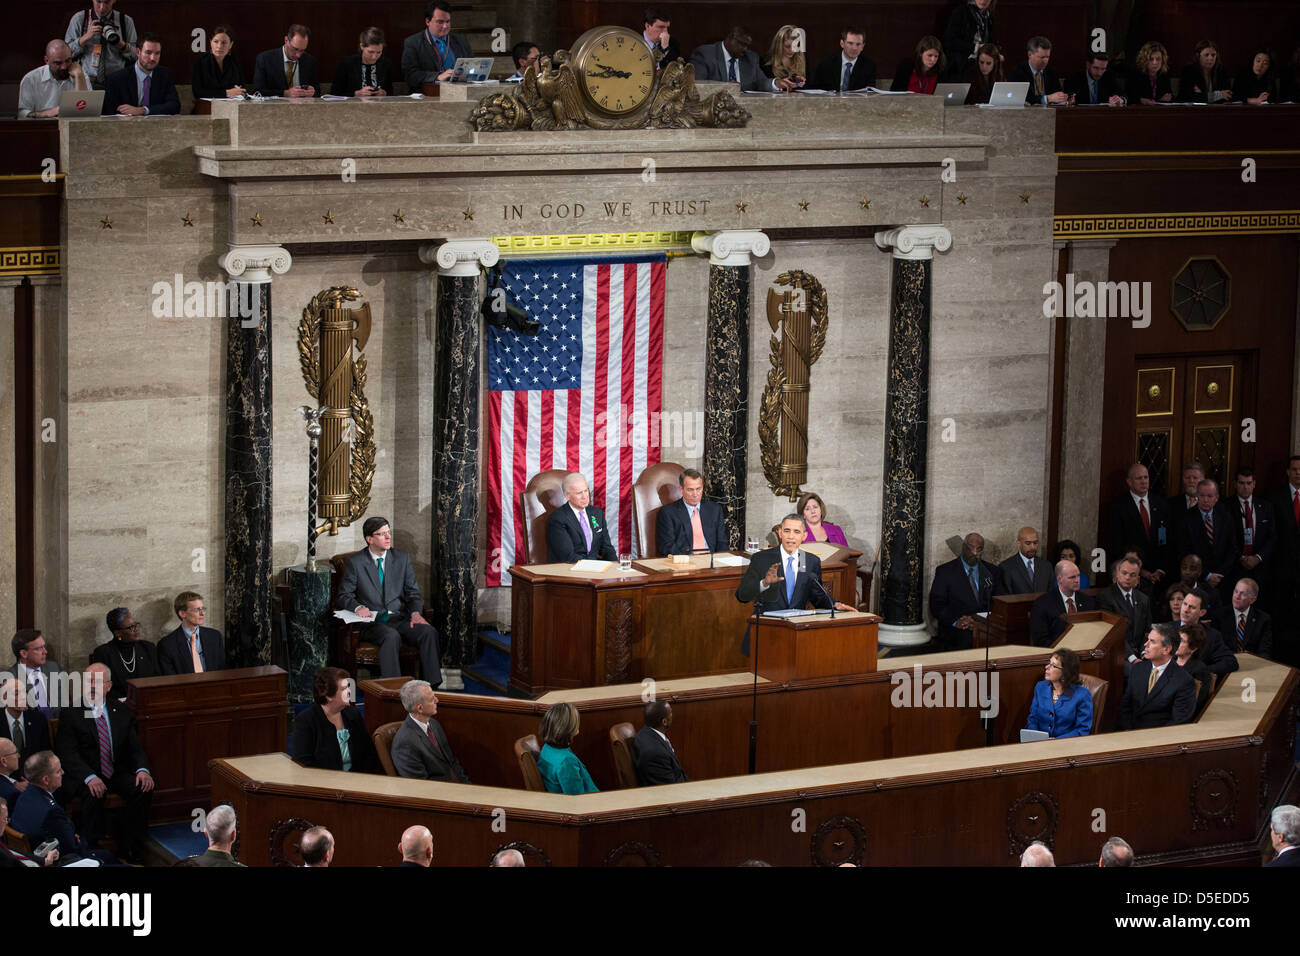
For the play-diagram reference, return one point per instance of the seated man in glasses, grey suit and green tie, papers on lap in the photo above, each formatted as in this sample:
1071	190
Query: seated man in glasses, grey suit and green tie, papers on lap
379	583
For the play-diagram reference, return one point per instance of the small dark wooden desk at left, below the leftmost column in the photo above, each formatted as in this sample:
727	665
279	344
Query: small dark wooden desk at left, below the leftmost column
188	720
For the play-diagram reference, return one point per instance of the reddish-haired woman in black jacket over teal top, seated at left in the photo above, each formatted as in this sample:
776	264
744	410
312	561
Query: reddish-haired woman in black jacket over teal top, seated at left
331	734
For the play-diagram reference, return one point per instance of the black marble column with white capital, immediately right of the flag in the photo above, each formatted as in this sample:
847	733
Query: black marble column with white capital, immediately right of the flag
727	371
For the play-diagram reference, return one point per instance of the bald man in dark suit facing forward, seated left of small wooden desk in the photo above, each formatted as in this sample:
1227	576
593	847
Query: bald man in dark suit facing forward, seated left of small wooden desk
101	750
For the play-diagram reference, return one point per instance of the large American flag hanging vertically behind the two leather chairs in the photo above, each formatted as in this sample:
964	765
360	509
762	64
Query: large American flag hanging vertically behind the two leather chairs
578	396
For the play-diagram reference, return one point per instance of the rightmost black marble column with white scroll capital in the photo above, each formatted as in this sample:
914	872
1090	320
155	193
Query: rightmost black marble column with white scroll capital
903	508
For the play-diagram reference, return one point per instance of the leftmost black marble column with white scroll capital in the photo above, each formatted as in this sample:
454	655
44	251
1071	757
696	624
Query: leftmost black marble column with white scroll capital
248	504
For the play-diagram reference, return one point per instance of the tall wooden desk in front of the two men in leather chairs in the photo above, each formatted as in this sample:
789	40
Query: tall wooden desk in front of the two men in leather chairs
573	630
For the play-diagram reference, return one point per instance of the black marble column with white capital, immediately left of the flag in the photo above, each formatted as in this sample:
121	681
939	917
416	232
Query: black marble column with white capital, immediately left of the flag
457	351
